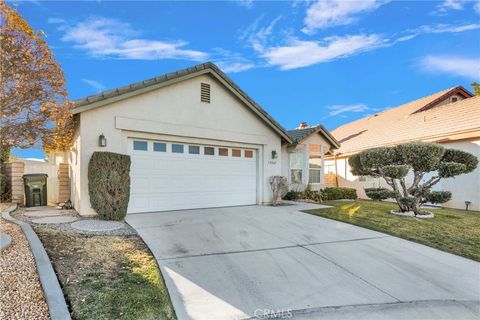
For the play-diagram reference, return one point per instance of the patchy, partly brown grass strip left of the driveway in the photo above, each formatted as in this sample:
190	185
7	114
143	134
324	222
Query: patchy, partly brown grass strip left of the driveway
107	277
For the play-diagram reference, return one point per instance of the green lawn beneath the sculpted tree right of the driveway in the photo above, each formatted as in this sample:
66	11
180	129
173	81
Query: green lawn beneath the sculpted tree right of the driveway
451	230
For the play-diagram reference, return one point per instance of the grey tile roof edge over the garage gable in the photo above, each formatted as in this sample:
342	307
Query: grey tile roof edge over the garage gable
108	96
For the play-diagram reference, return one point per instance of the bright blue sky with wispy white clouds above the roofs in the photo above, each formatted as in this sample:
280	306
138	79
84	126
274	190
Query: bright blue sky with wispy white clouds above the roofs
328	62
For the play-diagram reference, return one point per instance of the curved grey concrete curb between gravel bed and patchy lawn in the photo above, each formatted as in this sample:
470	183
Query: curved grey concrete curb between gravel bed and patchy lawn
51	287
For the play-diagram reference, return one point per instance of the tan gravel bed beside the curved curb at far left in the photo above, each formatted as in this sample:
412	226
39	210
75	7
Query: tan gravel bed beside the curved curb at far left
21	295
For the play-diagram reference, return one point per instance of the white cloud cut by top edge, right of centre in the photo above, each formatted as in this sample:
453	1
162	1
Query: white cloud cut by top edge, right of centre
329	13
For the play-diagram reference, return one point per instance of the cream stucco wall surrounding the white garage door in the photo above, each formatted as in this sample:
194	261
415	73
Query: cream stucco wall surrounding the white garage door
174	113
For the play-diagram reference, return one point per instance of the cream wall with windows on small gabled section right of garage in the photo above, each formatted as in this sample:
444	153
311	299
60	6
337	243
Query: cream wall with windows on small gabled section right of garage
304	148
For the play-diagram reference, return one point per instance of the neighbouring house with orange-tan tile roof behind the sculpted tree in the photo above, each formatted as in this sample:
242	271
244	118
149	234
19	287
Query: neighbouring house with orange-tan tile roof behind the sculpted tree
450	117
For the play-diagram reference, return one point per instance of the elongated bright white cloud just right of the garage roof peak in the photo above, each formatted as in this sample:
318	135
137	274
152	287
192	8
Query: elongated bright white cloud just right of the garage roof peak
304	53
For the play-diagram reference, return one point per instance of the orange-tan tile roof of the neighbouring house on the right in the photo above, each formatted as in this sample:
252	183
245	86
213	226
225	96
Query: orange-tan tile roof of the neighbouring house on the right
404	123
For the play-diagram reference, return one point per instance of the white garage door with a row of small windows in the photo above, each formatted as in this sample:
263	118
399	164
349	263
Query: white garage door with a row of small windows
173	176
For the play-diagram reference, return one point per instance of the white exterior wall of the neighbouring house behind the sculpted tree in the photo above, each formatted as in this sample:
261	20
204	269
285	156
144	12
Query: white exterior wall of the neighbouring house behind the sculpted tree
465	187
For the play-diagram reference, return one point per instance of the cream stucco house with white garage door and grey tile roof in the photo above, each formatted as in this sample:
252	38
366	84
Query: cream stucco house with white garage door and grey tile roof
196	140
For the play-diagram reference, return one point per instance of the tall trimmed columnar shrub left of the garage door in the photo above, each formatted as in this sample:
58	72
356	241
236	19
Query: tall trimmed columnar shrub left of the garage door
109	184
